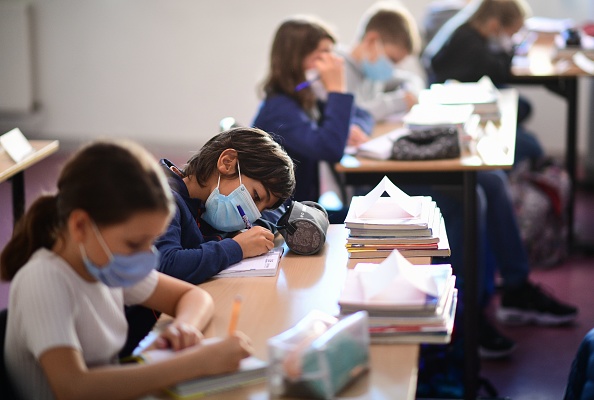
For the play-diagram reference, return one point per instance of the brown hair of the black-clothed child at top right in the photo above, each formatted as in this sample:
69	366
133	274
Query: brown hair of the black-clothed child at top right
507	12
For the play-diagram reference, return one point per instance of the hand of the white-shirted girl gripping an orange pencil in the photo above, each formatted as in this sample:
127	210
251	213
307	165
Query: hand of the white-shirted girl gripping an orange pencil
224	355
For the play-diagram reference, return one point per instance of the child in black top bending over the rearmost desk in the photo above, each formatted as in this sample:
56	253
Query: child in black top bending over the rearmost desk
477	41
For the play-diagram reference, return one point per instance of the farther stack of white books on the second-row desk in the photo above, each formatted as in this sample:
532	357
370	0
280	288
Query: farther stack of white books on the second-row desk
482	96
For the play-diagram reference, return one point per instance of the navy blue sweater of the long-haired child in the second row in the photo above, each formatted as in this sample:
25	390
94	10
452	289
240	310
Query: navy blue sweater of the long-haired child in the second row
307	140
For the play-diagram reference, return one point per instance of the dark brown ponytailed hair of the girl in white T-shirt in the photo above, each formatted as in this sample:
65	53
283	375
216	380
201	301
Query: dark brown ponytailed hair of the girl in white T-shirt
109	180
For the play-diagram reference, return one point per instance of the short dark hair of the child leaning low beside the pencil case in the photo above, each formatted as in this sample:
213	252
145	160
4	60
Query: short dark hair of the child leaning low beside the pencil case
260	158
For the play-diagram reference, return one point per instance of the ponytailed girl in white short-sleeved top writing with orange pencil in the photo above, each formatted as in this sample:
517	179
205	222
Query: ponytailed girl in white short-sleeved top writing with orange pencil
75	259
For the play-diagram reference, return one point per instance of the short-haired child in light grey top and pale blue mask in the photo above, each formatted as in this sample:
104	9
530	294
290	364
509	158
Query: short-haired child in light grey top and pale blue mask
388	34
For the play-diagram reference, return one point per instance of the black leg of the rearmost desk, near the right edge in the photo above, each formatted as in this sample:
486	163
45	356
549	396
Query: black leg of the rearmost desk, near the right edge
571	95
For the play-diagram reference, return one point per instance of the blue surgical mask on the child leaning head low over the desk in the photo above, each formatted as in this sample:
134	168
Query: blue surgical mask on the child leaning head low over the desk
222	213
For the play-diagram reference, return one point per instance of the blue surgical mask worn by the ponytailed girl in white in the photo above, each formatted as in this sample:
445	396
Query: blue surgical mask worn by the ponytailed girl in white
121	270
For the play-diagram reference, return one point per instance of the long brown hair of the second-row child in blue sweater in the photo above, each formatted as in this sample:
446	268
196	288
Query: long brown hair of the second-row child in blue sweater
295	39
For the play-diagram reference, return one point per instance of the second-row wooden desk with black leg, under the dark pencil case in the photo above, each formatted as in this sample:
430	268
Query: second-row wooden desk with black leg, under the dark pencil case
458	172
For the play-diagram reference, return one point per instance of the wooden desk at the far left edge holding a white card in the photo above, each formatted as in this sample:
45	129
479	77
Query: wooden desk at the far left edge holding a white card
9	170
